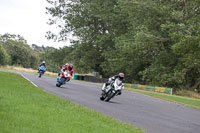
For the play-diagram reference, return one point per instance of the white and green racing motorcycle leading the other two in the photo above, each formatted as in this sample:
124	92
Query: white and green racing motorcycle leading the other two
112	90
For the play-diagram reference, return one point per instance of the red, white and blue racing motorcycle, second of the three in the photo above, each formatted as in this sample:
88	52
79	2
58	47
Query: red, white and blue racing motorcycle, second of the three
63	78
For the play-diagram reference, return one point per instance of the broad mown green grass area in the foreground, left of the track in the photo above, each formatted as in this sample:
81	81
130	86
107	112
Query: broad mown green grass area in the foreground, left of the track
25	108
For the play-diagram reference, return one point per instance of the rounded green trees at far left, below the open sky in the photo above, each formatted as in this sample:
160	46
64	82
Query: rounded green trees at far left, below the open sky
15	51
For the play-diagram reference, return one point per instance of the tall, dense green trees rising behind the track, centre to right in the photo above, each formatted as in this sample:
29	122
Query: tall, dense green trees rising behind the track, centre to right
154	42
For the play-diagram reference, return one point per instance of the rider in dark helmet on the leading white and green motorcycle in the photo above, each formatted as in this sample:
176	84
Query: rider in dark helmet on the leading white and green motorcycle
111	80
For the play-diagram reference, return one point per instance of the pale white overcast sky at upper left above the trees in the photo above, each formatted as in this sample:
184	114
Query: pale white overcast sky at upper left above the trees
28	19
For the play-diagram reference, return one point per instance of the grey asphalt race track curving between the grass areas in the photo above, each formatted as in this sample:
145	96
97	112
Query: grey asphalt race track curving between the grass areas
153	115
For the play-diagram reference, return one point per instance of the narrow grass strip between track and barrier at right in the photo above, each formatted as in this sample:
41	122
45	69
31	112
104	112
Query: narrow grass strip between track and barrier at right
192	102
